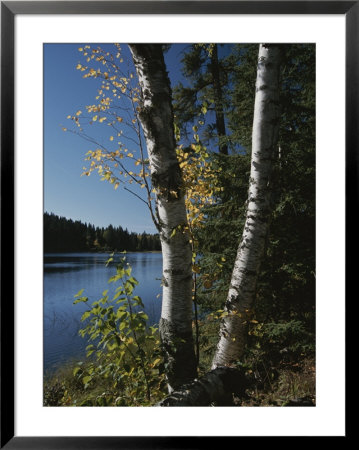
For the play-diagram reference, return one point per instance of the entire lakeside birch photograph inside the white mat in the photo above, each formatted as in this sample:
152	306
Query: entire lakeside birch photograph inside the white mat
179	224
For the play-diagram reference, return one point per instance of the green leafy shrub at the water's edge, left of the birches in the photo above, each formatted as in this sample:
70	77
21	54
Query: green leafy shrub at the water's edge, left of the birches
122	349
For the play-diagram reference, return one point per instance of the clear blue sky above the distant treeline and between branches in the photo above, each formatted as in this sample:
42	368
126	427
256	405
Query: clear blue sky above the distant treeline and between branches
66	193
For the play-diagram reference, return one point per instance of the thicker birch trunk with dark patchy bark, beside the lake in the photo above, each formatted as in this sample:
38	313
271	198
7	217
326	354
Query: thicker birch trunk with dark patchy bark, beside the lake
156	117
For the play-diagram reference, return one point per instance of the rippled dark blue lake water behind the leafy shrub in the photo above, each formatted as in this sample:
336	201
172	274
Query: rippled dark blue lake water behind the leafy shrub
65	274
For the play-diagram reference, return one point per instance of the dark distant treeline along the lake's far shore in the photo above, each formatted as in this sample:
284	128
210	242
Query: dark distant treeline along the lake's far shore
66	235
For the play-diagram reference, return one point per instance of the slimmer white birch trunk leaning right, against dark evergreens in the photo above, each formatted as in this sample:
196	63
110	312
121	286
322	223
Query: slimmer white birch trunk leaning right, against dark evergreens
234	326
